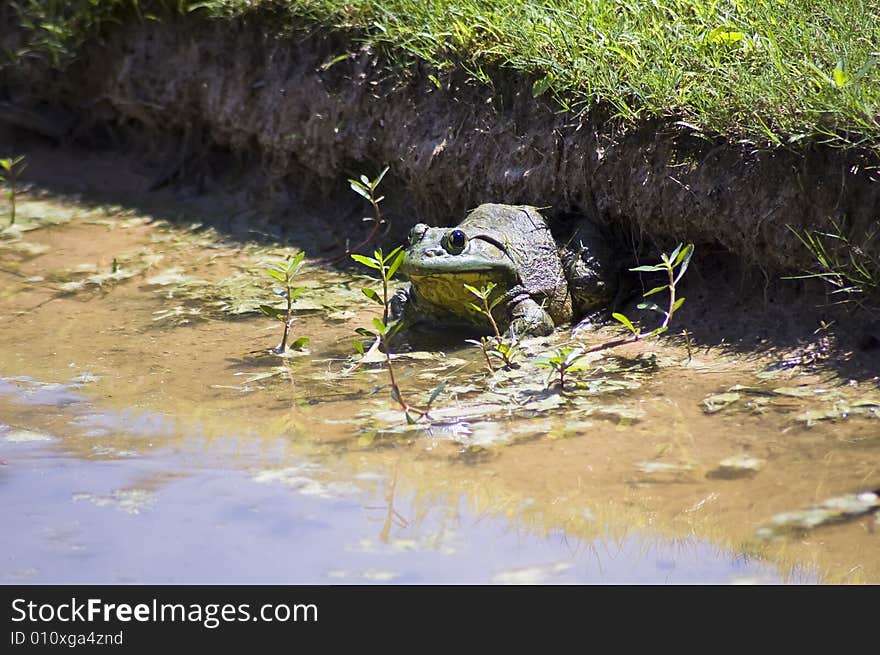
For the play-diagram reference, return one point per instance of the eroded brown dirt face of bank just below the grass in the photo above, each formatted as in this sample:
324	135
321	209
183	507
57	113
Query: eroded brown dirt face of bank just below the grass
311	119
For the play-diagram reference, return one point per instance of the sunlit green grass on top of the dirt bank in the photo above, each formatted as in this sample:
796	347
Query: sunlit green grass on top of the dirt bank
765	72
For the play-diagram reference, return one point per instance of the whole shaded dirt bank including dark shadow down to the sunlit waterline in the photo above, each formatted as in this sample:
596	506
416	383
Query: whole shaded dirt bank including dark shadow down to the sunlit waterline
274	125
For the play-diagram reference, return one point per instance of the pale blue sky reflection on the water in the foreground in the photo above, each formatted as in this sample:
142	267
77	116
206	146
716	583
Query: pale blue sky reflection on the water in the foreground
128	521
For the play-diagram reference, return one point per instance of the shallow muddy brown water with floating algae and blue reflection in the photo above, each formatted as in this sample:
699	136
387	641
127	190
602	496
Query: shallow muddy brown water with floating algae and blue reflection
148	436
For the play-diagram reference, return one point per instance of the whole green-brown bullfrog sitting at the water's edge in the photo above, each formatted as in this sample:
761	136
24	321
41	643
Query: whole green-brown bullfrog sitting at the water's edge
543	286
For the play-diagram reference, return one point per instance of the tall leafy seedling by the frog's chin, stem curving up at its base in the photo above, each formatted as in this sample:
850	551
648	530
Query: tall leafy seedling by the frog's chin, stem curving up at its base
385	327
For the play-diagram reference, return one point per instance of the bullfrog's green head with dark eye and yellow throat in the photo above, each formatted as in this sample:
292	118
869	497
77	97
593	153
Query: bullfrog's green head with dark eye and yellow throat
440	261
